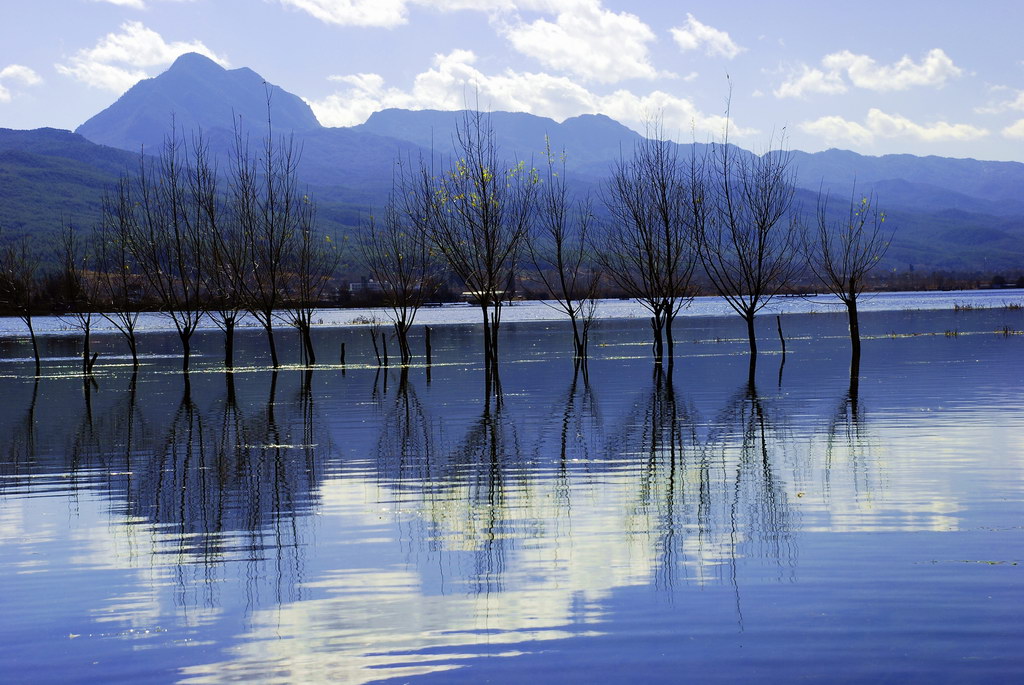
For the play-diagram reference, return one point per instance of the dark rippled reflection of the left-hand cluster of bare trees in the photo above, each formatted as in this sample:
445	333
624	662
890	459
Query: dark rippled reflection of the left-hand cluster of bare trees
202	486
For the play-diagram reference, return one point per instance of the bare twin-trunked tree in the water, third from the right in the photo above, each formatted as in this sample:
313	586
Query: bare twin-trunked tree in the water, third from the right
649	250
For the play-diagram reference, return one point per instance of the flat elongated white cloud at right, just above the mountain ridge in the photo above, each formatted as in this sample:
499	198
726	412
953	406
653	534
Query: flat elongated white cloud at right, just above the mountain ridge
879	124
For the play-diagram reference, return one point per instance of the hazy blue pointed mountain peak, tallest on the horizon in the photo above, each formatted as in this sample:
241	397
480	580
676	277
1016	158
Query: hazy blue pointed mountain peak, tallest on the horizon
199	95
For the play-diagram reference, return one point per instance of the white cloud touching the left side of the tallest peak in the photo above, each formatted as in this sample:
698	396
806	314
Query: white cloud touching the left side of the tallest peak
119	61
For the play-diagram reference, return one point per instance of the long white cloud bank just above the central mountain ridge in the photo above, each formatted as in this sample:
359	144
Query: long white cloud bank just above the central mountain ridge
454	76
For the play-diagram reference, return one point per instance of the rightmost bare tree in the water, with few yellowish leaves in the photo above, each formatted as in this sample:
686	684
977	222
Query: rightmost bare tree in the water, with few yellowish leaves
841	252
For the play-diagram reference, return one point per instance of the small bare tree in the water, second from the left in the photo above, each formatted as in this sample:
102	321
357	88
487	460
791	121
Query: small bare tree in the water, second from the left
79	290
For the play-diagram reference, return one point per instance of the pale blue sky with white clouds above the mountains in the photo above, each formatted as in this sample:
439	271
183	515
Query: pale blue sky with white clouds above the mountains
901	76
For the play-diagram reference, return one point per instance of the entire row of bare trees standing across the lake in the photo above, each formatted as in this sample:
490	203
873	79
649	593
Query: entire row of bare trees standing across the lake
184	237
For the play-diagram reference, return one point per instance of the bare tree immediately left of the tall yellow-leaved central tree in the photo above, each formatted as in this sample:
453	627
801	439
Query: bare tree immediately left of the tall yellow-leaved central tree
398	254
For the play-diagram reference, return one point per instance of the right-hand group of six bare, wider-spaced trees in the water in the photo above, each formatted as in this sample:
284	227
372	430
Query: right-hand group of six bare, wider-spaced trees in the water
719	215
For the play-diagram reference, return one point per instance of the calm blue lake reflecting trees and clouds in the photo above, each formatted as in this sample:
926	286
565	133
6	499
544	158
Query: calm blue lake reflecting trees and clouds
356	525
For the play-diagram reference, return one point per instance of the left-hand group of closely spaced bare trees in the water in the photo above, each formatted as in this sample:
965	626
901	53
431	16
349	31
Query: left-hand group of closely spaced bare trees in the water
181	238
